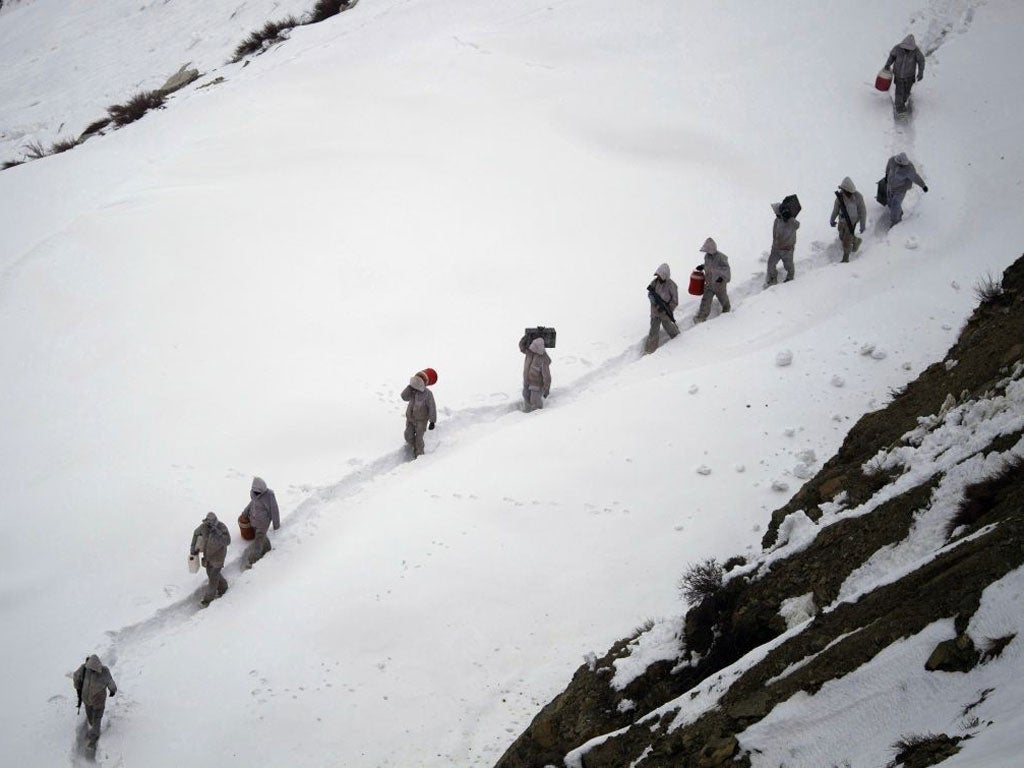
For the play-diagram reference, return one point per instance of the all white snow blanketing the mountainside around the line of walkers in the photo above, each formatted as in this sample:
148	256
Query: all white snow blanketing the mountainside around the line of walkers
243	282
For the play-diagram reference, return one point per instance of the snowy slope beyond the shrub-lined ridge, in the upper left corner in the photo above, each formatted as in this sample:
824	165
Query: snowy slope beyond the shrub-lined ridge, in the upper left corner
67	61
